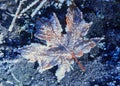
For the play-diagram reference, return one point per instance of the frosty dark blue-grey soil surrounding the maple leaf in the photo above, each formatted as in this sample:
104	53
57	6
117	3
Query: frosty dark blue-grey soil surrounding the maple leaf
102	63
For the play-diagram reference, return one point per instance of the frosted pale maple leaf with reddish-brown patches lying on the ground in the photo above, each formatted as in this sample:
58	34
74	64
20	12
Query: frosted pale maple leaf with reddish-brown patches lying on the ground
61	49
